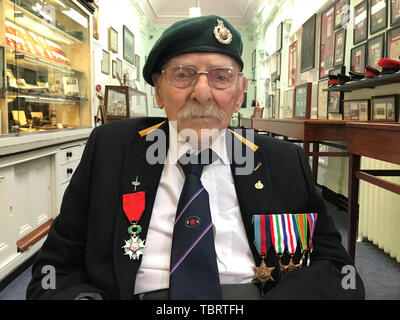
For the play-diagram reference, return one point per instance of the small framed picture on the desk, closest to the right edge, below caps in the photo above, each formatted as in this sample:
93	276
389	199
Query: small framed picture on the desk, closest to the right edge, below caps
384	108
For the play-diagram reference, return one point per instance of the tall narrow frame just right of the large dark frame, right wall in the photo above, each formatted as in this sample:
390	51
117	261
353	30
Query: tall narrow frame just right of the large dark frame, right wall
327	42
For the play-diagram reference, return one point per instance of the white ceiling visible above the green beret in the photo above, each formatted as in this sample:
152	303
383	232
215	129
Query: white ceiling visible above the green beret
166	12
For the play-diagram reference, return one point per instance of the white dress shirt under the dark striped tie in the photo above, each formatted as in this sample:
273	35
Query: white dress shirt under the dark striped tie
234	257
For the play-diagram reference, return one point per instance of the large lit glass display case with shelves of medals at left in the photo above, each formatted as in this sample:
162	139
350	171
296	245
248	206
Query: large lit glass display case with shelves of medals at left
46	65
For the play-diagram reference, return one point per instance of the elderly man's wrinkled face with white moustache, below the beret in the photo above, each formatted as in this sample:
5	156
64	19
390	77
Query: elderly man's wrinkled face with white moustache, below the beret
200	106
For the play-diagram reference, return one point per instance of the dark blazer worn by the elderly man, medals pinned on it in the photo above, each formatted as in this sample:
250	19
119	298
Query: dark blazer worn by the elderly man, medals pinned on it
85	241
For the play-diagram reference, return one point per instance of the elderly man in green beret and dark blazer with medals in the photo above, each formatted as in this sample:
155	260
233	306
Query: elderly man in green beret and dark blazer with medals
184	208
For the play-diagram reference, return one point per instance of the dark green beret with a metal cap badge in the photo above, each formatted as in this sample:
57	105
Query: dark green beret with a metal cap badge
201	34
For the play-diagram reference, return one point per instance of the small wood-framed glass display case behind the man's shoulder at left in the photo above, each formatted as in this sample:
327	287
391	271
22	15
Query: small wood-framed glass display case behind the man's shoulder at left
123	102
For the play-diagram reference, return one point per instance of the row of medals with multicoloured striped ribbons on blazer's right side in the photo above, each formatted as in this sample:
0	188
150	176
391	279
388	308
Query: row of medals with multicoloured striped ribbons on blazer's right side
284	232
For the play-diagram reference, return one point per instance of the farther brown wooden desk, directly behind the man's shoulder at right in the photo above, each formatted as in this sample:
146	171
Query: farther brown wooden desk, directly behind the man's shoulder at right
308	131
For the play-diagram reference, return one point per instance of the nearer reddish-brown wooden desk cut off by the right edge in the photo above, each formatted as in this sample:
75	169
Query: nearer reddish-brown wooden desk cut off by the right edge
374	140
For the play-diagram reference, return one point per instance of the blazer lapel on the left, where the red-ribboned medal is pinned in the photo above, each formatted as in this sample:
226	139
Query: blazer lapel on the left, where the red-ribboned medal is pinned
136	165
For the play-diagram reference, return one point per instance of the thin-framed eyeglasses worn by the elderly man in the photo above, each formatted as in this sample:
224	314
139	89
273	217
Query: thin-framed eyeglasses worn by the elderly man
184	77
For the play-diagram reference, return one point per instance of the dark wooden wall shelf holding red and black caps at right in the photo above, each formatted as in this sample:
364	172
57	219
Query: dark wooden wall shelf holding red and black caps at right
368	83
